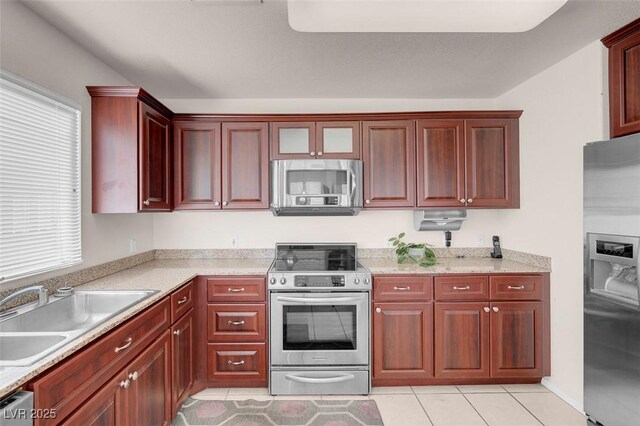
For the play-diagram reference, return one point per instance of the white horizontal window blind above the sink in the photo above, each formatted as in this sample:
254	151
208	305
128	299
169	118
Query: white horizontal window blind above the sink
39	180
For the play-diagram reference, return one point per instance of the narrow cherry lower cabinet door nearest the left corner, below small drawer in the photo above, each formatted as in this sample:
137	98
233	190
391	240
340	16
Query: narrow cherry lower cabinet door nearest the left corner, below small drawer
182	351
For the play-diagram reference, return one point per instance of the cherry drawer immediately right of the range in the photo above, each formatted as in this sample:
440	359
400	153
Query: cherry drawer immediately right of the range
398	289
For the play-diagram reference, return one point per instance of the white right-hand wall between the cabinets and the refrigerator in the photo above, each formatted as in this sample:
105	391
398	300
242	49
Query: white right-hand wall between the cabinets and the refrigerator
564	109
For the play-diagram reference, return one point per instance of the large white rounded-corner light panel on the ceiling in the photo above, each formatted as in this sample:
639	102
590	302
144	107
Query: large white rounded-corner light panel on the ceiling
408	16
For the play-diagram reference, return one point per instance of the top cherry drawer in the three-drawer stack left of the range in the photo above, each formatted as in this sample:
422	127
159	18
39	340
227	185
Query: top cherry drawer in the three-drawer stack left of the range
234	289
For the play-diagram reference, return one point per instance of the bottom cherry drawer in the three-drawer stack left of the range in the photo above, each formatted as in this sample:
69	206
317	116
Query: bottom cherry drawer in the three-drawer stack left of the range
237	361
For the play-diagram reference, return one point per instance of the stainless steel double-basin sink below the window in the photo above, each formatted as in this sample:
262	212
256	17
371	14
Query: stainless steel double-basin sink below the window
36	332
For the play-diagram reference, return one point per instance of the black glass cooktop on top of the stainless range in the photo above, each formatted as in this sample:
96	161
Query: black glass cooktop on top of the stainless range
315	257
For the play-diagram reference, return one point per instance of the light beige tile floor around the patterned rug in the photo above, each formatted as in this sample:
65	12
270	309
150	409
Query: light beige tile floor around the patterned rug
493	405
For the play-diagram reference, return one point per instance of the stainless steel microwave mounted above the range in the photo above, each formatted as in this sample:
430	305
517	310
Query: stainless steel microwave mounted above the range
316	187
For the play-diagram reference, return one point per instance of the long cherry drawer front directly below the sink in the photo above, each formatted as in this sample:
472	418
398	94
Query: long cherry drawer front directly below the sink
70	383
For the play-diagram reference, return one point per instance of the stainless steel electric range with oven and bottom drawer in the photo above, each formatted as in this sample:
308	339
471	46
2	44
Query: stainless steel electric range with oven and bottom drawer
319	304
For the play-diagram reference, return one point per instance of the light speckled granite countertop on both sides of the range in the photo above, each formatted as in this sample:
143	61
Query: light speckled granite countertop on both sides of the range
166	275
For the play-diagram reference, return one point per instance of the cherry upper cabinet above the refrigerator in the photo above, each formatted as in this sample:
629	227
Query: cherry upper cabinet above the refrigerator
624	79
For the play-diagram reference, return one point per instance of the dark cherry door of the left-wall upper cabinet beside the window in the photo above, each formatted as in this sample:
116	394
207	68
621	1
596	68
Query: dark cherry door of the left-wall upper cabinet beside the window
155	160
